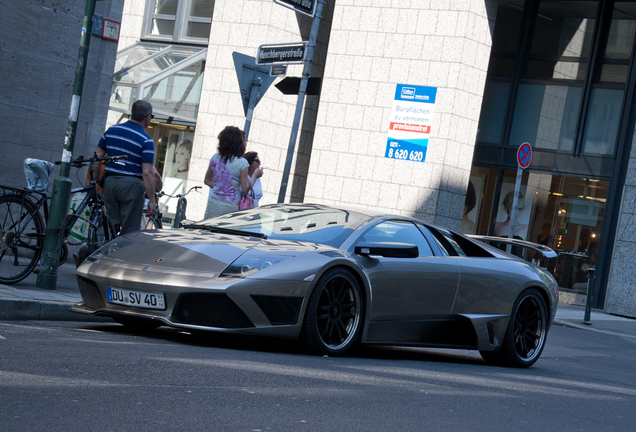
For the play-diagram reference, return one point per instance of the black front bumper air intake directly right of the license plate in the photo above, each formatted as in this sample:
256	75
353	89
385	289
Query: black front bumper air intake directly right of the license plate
210	310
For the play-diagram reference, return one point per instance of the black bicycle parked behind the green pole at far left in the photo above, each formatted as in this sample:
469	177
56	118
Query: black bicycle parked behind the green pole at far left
22	228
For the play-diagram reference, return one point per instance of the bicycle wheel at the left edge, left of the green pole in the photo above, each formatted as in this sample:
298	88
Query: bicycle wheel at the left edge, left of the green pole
21	238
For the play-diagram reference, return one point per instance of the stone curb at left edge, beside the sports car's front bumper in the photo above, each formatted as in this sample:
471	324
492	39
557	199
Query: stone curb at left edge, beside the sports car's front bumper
22	310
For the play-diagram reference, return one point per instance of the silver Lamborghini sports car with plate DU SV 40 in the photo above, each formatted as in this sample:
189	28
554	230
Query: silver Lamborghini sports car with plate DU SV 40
331	277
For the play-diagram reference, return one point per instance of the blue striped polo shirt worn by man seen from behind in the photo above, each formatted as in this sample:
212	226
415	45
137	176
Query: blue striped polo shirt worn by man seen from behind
131	140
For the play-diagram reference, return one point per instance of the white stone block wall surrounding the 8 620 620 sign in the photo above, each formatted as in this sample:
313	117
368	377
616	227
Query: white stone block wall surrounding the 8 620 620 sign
372	48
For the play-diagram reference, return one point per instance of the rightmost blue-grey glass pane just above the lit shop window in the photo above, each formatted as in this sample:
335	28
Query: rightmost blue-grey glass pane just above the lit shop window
601	126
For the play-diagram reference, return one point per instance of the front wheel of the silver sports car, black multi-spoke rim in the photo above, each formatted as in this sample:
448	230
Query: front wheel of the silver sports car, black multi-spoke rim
334	313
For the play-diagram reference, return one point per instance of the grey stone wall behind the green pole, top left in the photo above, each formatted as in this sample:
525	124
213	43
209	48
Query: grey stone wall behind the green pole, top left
39	45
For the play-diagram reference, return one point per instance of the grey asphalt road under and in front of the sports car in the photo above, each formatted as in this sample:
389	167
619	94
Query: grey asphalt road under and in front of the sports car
70	376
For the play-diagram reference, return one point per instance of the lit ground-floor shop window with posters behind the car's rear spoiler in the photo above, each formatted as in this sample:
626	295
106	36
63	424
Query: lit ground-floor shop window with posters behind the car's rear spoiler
563	213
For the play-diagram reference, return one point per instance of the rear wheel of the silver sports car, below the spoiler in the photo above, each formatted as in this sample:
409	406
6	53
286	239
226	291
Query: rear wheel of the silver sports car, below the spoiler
526	334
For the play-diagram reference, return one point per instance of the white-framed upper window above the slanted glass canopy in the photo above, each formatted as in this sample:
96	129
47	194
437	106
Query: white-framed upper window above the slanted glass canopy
187	21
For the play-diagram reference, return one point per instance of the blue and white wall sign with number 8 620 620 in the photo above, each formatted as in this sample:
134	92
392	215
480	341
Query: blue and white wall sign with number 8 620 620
410	125
